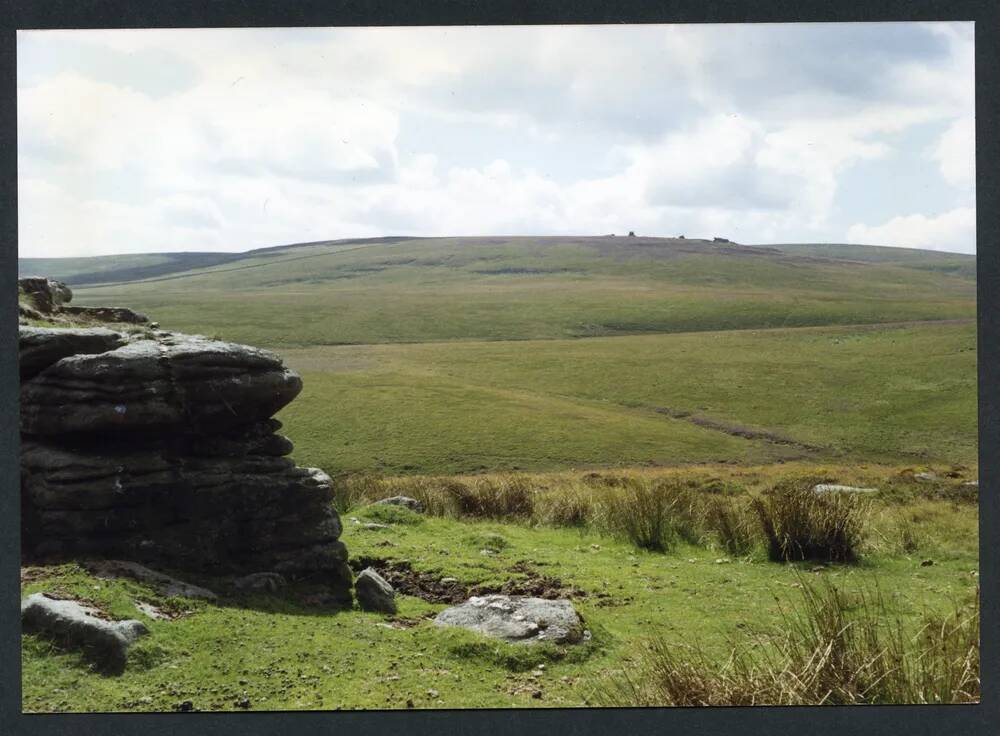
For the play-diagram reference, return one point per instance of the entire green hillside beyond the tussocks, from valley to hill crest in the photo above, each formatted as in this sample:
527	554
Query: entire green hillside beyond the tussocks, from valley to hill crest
470	398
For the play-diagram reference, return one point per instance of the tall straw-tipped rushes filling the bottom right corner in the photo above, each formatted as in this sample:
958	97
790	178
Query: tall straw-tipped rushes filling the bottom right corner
834	651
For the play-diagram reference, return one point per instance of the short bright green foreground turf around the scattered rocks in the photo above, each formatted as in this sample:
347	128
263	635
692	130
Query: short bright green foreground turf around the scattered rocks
283	654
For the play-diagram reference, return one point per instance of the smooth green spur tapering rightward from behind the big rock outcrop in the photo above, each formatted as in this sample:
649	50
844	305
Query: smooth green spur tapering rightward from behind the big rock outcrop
398	423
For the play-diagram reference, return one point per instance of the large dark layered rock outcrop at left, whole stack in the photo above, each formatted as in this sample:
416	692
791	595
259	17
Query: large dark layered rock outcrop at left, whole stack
161	449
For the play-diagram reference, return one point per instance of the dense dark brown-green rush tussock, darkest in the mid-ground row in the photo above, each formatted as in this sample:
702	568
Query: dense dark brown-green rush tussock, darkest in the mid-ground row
799	524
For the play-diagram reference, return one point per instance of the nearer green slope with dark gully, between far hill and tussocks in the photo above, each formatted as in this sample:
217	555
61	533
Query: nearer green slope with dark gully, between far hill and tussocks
889	394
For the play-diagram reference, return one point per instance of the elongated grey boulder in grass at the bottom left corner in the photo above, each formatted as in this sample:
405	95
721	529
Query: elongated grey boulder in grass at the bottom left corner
75	625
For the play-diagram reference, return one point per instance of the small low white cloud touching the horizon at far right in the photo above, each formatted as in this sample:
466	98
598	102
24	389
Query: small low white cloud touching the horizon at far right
954	230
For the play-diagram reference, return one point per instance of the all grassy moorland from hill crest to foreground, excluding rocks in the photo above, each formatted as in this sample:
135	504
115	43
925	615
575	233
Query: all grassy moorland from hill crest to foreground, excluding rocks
540	394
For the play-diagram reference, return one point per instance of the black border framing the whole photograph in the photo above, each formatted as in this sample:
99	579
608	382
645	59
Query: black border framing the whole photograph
816	720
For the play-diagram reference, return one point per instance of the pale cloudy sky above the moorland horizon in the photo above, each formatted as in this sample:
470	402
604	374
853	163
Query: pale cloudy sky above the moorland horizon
156	140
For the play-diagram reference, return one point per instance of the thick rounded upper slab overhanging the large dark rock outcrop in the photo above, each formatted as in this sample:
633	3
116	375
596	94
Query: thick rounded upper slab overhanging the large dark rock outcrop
169	384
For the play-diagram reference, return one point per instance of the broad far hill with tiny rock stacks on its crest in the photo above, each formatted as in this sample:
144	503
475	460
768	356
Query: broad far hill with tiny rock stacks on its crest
531	288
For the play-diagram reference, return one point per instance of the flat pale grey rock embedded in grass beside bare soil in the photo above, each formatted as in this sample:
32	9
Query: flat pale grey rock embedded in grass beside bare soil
516	618
